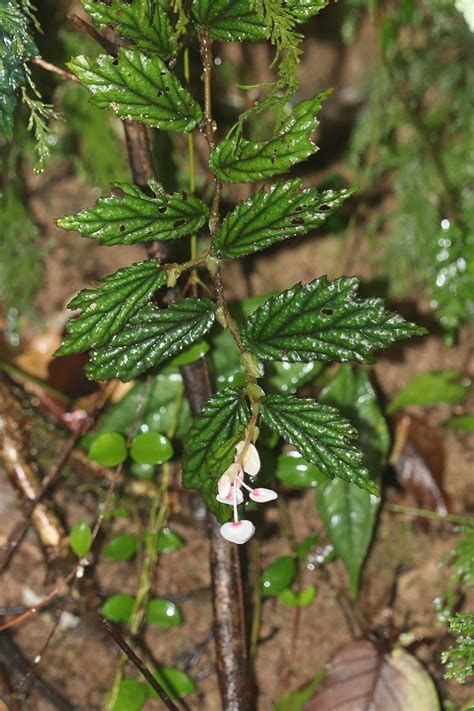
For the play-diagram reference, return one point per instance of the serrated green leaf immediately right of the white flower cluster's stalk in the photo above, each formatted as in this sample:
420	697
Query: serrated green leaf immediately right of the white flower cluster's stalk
320	434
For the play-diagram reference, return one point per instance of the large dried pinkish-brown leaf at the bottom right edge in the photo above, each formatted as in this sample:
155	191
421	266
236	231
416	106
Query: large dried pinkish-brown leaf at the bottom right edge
361	678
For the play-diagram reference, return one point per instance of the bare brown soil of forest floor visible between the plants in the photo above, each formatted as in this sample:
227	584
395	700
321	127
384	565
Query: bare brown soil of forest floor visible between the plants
407	566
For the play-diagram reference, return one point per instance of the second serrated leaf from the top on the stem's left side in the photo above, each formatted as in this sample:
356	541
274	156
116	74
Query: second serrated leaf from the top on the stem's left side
138	88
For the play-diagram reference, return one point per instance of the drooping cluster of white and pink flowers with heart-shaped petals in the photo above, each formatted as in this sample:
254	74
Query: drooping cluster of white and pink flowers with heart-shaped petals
230	487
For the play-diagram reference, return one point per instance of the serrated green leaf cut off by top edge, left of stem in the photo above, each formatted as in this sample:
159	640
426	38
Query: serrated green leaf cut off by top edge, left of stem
144	22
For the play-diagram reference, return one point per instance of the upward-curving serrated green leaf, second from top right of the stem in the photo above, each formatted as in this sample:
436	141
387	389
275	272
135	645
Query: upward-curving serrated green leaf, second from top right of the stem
237	160
